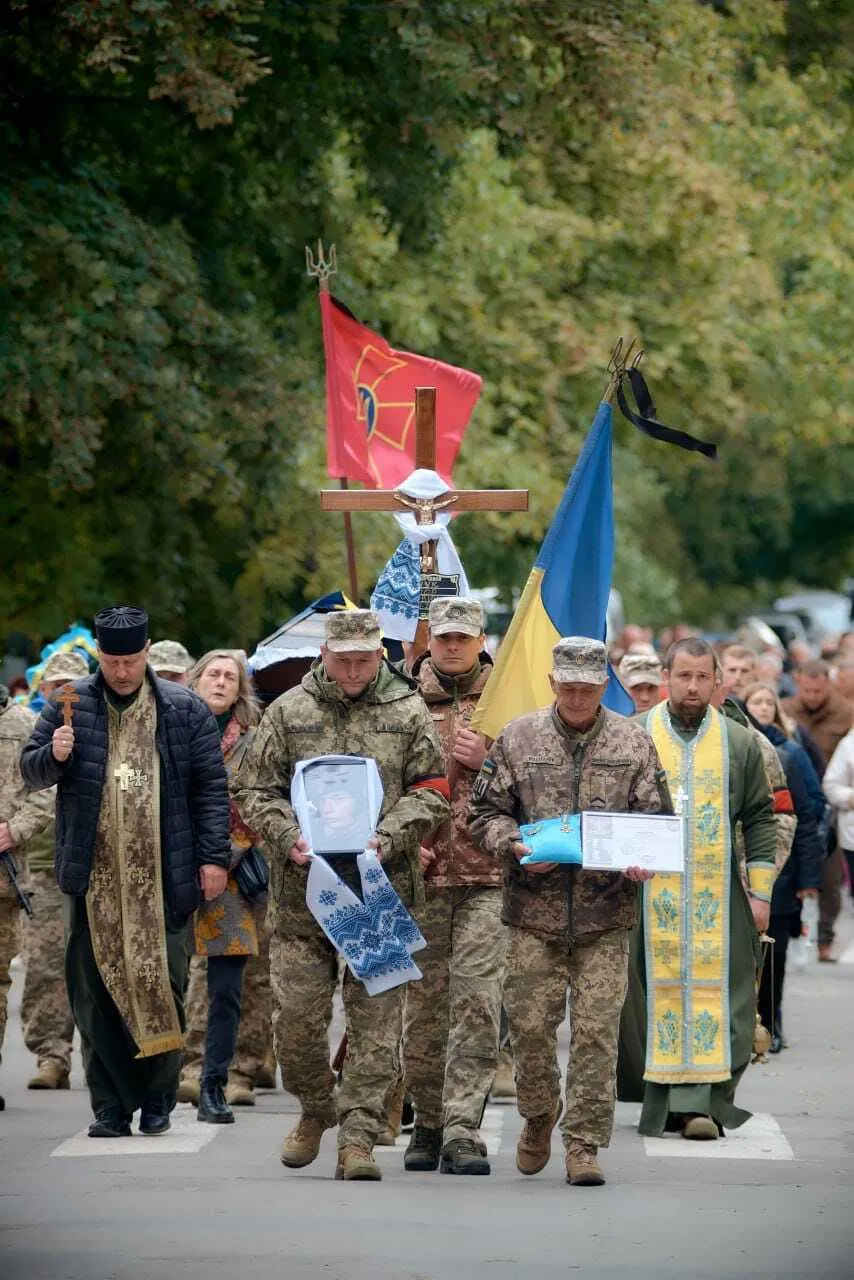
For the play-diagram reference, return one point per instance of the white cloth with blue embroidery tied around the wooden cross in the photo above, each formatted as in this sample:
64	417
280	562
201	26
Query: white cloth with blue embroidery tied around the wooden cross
398	596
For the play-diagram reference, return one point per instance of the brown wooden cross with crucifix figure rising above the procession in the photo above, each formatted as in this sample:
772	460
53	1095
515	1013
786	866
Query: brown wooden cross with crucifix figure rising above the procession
426	509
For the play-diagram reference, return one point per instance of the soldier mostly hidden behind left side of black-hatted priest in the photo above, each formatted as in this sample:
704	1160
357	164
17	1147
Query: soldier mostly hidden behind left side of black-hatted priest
45	1013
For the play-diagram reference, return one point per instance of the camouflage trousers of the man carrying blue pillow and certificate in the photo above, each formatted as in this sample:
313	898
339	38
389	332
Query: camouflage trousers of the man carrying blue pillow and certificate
540	973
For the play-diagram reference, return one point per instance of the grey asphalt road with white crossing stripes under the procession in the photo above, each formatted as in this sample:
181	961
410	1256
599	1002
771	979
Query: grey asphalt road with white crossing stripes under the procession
774	1200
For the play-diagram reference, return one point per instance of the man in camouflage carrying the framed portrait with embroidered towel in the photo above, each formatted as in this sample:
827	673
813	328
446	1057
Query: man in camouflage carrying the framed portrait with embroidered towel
351	702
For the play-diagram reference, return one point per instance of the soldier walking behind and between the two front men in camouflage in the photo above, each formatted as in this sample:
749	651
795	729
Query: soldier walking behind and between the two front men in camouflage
453	1016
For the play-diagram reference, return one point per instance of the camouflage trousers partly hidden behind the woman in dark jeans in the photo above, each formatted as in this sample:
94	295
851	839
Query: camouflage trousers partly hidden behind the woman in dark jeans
255	1034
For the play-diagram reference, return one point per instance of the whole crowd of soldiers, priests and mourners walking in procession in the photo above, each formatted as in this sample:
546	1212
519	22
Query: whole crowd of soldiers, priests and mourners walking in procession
149	813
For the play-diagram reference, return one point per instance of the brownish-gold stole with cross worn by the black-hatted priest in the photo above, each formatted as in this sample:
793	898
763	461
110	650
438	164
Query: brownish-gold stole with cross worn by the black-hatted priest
125	902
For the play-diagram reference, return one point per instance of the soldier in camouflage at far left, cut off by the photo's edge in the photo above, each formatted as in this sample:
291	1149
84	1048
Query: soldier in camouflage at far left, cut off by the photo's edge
22	817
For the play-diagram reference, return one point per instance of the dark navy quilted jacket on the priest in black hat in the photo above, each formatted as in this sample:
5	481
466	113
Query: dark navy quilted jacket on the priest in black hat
194	788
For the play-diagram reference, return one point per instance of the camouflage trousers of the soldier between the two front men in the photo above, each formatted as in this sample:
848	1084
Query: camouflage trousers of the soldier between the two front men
453	1017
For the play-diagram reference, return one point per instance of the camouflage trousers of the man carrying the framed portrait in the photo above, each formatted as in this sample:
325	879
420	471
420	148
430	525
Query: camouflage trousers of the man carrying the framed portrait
305	977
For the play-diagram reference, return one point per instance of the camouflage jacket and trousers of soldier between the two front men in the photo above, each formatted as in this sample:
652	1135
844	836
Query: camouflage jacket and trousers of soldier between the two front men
453	1016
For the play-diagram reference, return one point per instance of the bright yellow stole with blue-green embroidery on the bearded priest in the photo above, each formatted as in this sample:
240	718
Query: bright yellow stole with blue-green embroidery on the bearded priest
687	918
